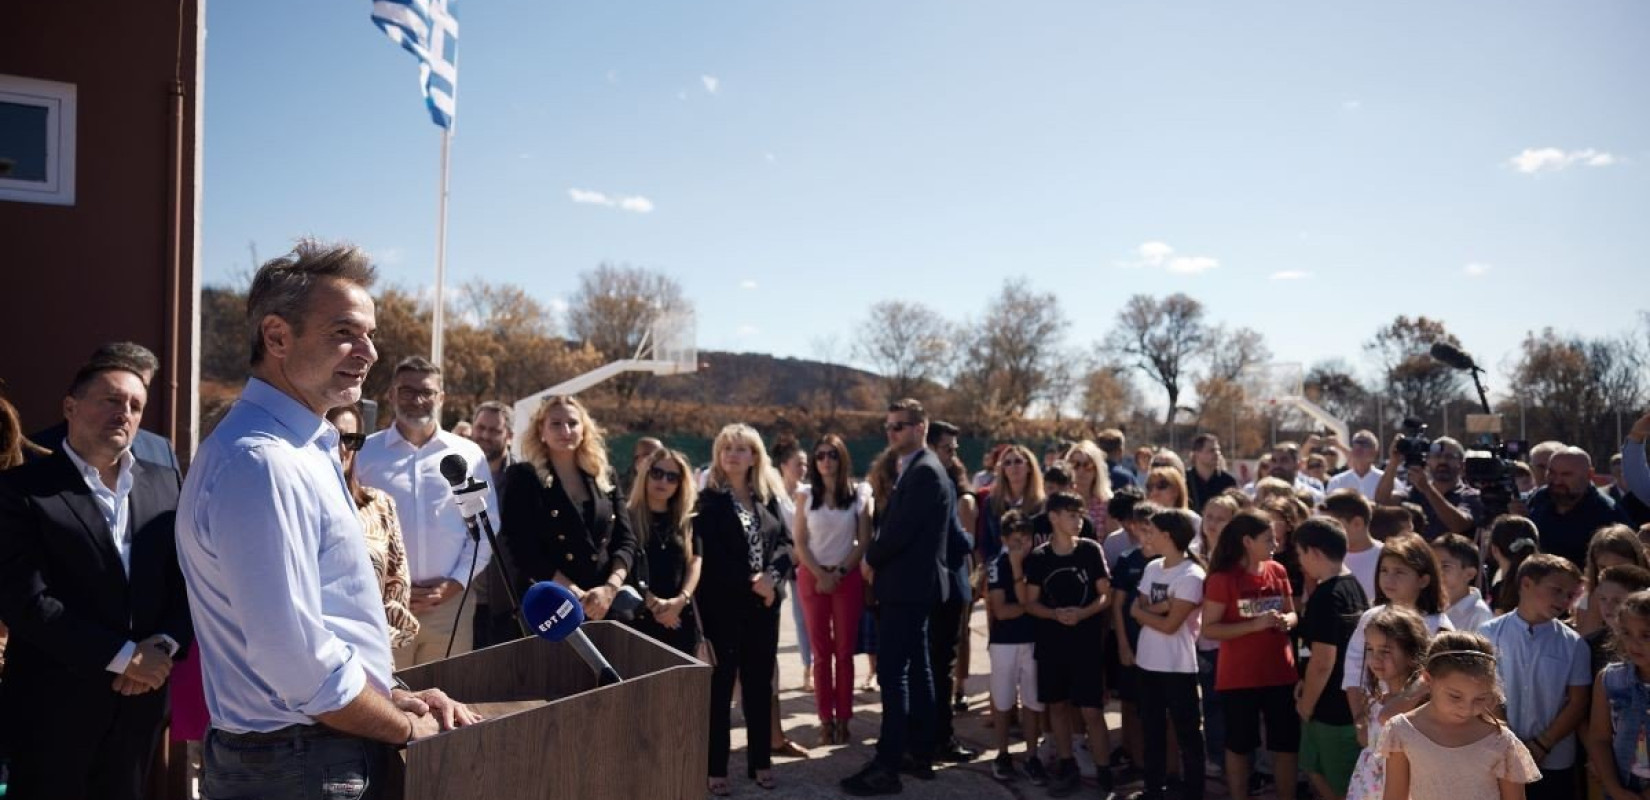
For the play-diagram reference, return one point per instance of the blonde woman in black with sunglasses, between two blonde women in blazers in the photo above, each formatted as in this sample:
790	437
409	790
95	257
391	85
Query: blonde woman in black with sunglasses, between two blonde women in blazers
662	514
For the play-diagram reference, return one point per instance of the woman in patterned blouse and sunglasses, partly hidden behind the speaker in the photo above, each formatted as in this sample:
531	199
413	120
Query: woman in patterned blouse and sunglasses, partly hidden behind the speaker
384	530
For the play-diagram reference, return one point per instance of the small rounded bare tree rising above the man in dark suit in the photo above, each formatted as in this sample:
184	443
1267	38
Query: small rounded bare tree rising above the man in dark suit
908	344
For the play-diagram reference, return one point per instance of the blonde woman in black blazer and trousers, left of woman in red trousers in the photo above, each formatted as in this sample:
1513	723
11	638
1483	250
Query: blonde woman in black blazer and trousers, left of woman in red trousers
747	560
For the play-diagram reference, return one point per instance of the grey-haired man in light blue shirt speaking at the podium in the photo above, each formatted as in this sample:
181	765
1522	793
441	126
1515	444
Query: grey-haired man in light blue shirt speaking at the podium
293	634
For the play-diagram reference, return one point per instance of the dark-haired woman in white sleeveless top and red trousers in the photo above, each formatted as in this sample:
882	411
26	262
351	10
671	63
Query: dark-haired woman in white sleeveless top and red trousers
832	530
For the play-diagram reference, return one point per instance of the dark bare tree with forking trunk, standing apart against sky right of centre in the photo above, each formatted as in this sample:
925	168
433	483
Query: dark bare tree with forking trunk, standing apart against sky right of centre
1162	339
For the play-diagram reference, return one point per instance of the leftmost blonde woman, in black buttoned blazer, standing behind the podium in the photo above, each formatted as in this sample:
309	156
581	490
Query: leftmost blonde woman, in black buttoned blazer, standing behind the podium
563	517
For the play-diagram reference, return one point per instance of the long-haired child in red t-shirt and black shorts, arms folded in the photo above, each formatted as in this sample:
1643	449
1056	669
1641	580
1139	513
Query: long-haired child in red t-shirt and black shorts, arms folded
1250	608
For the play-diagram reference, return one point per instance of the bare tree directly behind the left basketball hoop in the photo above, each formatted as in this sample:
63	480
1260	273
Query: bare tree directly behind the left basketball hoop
616	308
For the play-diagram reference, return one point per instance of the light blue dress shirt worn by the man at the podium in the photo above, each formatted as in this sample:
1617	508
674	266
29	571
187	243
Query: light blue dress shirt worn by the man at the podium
281	586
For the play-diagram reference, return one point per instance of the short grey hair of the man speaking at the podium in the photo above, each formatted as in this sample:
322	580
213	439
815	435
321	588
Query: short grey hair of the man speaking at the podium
285	286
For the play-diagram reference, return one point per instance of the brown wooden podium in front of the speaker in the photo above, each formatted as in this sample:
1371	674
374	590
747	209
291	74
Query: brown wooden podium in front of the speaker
552	733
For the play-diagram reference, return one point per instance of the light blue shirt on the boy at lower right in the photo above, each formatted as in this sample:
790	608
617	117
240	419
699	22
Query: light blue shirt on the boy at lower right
1539	666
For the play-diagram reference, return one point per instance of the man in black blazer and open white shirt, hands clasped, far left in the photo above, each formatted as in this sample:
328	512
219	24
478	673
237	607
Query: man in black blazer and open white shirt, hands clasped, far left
92	590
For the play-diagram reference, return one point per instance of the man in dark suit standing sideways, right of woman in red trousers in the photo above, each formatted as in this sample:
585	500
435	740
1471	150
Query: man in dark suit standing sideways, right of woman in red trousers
908	557
